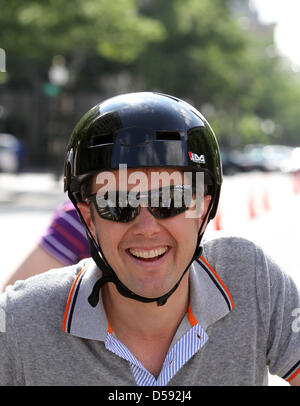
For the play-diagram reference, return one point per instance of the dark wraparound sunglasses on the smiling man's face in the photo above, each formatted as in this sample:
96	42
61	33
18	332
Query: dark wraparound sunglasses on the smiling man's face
124	206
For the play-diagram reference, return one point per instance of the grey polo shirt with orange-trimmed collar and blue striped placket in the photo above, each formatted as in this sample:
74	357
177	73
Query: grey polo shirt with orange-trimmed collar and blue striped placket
243	320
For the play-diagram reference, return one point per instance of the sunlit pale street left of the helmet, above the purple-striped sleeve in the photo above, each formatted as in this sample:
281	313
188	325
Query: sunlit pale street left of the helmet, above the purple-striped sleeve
27	203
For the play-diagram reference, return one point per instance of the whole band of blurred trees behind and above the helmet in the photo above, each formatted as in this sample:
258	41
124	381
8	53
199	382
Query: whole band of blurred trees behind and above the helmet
63	57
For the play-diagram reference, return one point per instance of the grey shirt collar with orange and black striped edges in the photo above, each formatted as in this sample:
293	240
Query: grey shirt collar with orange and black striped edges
210	301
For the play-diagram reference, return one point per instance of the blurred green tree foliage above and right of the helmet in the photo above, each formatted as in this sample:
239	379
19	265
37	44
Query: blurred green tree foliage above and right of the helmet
209	59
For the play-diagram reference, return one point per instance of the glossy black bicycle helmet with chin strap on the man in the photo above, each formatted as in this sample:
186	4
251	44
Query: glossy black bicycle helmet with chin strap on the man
144	129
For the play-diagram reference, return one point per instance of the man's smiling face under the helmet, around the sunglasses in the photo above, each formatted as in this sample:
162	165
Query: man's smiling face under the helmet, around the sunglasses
148	254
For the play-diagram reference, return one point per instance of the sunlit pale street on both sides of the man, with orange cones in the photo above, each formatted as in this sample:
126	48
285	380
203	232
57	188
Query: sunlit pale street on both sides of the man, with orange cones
262	207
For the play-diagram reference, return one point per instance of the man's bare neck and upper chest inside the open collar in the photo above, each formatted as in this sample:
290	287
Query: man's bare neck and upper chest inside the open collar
146	329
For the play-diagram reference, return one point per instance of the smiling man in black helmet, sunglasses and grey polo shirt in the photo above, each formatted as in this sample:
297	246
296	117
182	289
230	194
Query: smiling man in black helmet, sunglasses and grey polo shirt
155	304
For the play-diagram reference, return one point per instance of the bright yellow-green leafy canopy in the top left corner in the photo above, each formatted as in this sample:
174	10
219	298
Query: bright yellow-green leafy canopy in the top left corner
40	29
